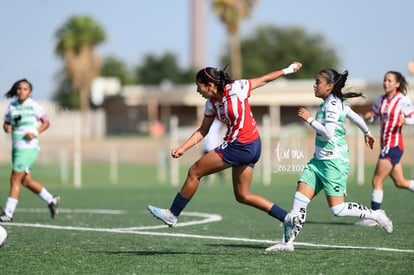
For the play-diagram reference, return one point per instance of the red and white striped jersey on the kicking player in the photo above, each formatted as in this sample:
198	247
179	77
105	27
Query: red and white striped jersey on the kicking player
233	109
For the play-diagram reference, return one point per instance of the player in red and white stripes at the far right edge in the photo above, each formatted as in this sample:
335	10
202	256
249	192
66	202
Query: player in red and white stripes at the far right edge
394	110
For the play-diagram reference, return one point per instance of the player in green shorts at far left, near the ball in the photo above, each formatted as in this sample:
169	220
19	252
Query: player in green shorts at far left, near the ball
22	120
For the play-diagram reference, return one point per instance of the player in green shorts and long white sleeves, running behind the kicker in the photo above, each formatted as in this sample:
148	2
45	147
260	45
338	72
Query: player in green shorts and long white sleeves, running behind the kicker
328	169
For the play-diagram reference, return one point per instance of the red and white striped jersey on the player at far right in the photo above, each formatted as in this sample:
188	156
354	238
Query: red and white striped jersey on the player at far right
389	109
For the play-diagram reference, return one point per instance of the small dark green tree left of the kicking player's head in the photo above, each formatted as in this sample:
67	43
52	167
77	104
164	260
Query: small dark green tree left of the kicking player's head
158	70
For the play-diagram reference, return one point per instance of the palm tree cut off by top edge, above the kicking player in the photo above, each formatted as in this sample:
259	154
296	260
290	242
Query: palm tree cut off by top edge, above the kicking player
231	12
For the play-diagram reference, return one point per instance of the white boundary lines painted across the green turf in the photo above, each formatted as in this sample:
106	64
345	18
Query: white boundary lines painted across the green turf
208	218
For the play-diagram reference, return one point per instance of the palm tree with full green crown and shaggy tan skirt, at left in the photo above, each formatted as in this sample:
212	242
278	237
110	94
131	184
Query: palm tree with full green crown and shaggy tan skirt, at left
76	41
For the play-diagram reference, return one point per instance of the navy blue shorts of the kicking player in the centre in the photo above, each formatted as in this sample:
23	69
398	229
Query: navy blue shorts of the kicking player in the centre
237	153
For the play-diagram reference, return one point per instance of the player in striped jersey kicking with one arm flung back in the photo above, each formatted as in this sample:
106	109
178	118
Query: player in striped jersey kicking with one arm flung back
227	100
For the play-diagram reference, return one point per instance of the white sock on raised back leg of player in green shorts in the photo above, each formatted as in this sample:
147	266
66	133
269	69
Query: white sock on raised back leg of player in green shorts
353	209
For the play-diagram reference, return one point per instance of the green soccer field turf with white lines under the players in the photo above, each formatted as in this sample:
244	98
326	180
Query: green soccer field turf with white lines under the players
104	228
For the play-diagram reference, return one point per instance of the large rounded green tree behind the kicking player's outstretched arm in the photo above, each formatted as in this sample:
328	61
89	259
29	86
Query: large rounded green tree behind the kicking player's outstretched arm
270	47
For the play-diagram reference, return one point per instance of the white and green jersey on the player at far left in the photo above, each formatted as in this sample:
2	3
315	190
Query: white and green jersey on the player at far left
24	118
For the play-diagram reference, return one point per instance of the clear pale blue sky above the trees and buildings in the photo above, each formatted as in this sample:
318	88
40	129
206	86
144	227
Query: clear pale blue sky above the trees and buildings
370	37
